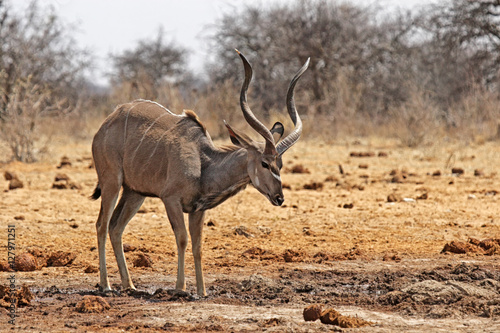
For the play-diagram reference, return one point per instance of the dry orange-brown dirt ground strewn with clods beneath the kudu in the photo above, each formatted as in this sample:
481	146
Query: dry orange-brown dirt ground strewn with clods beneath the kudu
362	231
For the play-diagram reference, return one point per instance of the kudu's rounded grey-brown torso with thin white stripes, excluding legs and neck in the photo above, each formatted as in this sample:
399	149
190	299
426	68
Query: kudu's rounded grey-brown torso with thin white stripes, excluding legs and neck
147	148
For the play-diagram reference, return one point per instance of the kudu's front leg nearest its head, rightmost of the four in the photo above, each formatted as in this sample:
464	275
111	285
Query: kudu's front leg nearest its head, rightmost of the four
196	231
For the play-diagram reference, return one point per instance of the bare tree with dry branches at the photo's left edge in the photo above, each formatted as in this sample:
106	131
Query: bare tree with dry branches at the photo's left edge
41	71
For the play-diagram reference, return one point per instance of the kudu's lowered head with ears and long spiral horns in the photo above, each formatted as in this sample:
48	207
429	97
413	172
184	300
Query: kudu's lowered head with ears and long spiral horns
264	160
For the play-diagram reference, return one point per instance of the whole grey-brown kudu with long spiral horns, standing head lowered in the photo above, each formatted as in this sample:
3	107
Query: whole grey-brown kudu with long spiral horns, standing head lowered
148	151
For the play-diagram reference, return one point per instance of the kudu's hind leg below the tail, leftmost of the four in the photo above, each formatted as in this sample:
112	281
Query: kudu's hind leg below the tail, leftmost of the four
109	195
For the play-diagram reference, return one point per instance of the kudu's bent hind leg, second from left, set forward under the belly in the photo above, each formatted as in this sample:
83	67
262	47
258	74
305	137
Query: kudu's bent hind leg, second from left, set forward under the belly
127	207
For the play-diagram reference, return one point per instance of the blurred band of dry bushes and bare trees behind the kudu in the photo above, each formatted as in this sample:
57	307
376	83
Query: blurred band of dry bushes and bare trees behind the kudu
421	76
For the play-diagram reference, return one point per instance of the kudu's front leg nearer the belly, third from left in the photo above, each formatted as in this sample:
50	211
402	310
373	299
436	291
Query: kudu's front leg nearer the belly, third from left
176	217
